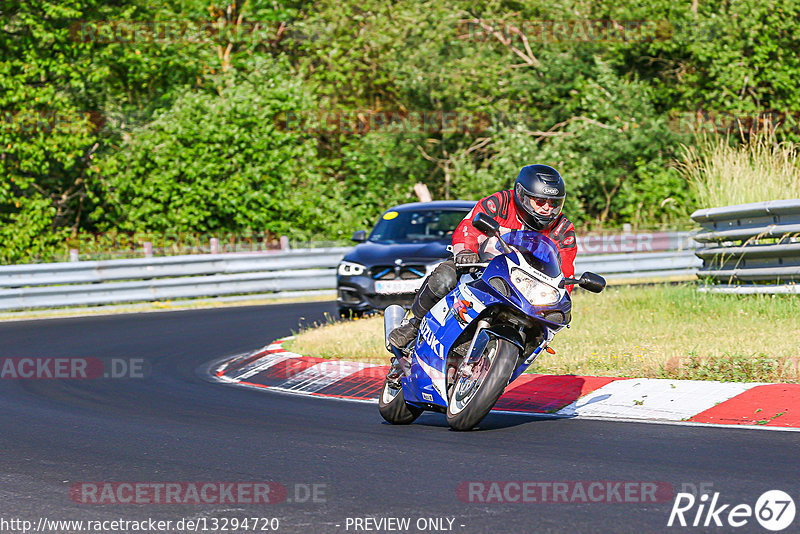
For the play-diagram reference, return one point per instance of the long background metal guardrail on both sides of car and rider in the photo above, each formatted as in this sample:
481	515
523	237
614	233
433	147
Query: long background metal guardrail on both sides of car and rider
650	256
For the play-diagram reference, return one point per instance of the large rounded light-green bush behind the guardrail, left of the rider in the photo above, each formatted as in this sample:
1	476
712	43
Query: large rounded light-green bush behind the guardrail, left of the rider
220	162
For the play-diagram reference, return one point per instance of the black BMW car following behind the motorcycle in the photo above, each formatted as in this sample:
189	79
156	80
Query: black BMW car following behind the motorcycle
388	267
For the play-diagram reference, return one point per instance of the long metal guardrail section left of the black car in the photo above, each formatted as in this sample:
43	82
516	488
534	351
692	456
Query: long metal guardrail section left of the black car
138	280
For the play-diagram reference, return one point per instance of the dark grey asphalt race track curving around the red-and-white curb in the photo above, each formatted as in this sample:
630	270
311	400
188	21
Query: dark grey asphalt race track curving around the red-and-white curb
175	425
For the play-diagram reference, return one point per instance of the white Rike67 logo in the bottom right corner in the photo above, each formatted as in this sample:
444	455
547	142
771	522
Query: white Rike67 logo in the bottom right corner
774	510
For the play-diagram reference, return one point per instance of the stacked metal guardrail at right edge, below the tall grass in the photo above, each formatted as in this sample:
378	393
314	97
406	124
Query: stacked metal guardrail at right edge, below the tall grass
750	248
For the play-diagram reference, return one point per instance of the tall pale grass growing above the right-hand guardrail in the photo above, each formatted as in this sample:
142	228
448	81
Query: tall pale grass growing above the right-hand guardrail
722	174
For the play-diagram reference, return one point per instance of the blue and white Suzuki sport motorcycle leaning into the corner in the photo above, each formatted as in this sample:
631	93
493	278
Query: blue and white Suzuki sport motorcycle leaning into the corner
482	335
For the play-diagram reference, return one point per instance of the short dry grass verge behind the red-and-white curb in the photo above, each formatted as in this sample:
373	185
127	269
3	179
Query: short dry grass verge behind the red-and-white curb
658	331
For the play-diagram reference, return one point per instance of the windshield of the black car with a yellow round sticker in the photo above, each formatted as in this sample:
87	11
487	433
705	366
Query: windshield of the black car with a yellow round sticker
417	226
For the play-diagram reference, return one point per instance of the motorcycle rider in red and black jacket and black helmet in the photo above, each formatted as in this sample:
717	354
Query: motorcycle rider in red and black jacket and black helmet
538	197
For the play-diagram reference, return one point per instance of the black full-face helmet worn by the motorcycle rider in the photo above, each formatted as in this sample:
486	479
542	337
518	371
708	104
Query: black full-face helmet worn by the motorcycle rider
539	195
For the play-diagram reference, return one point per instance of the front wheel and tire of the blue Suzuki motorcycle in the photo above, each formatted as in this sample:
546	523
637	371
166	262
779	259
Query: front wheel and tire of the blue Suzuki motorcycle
472	398
